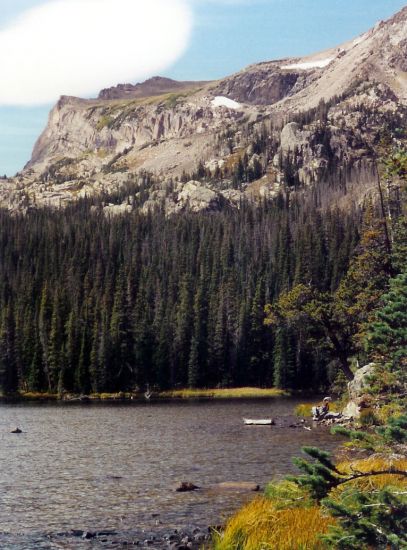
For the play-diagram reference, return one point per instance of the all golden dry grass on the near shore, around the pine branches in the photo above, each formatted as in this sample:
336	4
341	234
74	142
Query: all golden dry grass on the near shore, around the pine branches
288	520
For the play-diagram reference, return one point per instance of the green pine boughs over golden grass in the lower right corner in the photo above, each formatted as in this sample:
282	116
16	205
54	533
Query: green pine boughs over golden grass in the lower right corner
367	498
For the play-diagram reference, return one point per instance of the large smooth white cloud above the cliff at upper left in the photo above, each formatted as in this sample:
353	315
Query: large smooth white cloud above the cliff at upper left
77	47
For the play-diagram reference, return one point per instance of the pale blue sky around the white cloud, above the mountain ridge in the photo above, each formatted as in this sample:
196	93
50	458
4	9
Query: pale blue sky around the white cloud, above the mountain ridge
225	36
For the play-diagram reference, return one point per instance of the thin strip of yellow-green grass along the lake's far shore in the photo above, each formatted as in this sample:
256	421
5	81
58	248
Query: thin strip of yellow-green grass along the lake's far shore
224	393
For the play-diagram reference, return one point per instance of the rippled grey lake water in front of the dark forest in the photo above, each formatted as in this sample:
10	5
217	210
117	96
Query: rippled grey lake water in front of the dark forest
112	466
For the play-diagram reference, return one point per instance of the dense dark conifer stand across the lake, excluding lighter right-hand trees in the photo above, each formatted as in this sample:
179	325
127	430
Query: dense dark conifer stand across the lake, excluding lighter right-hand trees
91	303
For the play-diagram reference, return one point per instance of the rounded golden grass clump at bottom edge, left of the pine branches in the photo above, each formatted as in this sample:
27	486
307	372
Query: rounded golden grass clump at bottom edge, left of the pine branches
259	526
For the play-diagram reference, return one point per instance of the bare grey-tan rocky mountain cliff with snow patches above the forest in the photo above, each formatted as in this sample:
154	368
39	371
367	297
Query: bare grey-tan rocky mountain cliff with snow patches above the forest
315	115
